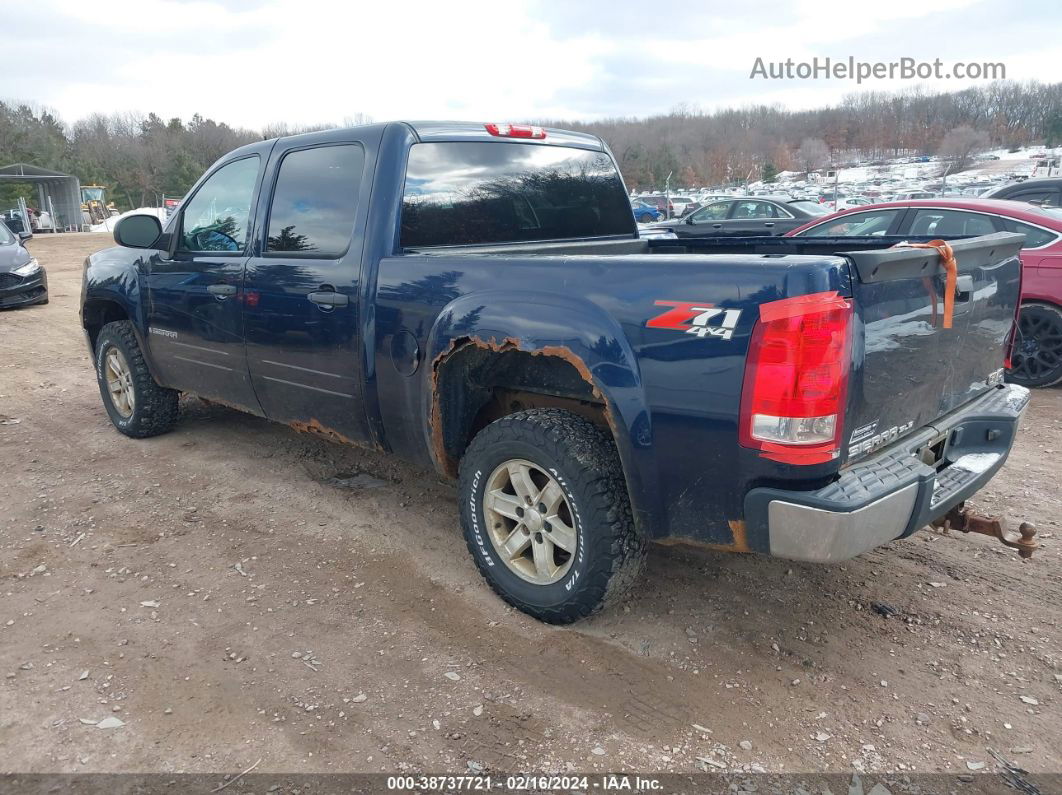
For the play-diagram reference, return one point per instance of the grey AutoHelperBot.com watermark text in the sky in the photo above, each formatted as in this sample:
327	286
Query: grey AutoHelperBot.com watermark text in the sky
905	68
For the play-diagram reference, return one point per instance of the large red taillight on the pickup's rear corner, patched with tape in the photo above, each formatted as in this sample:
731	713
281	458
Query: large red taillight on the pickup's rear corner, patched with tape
796	379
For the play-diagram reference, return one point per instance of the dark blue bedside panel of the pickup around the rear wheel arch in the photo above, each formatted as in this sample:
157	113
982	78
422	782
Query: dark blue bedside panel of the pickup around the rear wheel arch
674	396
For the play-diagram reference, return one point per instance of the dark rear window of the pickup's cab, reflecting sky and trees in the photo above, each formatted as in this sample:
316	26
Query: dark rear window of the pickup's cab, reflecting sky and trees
468	194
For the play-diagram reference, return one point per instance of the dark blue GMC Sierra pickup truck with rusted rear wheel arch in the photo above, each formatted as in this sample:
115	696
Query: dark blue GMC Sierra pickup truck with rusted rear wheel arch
476	299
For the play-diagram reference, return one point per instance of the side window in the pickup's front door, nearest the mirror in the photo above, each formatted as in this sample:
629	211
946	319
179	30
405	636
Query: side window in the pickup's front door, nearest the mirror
216	219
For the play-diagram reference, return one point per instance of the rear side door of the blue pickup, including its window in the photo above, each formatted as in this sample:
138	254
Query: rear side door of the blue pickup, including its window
302	287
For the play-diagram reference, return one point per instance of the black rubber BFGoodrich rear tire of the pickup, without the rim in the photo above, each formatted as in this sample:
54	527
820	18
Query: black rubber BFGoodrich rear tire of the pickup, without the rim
584	462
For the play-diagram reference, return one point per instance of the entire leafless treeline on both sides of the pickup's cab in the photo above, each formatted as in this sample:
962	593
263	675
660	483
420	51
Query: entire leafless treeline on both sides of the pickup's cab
141	159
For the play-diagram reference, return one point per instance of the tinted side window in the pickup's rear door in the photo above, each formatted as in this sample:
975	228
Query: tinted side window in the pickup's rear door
316	201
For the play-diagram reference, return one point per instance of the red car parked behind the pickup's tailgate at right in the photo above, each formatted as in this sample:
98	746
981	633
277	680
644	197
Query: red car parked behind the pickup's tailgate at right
1038	354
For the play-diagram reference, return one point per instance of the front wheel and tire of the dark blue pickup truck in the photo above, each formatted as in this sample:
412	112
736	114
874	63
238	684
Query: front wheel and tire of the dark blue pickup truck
138	406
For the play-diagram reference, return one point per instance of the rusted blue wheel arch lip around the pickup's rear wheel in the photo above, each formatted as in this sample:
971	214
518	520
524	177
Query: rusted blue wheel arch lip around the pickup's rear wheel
575	331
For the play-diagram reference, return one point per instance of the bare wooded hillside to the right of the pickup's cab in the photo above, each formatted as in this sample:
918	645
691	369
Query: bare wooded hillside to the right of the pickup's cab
727	146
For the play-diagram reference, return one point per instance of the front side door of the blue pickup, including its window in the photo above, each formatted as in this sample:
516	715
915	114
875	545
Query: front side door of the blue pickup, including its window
195	315
